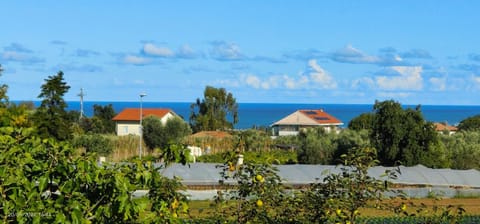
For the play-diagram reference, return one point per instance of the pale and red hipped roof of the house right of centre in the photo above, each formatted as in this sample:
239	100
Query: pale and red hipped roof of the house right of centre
309	117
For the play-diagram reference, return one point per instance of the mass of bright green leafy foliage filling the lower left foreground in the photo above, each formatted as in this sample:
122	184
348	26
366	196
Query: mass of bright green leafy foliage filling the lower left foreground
41	181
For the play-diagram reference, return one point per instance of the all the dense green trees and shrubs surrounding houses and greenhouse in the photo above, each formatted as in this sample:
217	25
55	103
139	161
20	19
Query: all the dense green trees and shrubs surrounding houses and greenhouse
43	178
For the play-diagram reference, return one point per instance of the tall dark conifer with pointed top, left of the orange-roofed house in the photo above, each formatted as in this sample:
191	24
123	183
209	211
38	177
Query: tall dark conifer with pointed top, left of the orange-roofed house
51	118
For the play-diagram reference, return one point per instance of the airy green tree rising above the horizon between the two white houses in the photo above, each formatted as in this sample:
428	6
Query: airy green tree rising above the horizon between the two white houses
218	110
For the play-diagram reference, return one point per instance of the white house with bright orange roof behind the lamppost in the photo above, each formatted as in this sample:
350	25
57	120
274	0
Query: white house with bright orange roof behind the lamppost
128	121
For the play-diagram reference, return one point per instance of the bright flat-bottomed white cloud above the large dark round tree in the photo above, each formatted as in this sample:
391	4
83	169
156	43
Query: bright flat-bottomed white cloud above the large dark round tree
408	78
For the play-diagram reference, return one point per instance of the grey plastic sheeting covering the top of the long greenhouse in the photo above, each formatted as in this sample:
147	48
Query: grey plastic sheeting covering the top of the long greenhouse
208	174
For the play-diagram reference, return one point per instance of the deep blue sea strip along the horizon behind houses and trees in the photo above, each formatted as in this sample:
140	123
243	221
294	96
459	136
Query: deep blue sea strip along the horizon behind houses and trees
265	114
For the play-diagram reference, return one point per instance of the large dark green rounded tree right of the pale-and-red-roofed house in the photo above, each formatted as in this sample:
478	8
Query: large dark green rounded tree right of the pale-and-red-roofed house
402	136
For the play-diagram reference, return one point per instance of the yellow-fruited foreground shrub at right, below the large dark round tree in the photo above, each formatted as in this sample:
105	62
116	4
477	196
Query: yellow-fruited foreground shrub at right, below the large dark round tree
339	196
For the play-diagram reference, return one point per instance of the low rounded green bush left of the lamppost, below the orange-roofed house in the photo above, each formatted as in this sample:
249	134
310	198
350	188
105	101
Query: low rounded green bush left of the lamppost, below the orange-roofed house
93	143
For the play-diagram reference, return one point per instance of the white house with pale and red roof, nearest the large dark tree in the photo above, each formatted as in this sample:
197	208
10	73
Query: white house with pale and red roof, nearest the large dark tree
301	119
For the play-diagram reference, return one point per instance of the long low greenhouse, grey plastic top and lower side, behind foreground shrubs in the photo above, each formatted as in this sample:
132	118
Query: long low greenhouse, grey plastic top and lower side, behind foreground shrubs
202	179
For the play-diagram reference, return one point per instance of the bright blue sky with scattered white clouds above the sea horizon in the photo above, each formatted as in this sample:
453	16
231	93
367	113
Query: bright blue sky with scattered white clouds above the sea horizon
415	52
